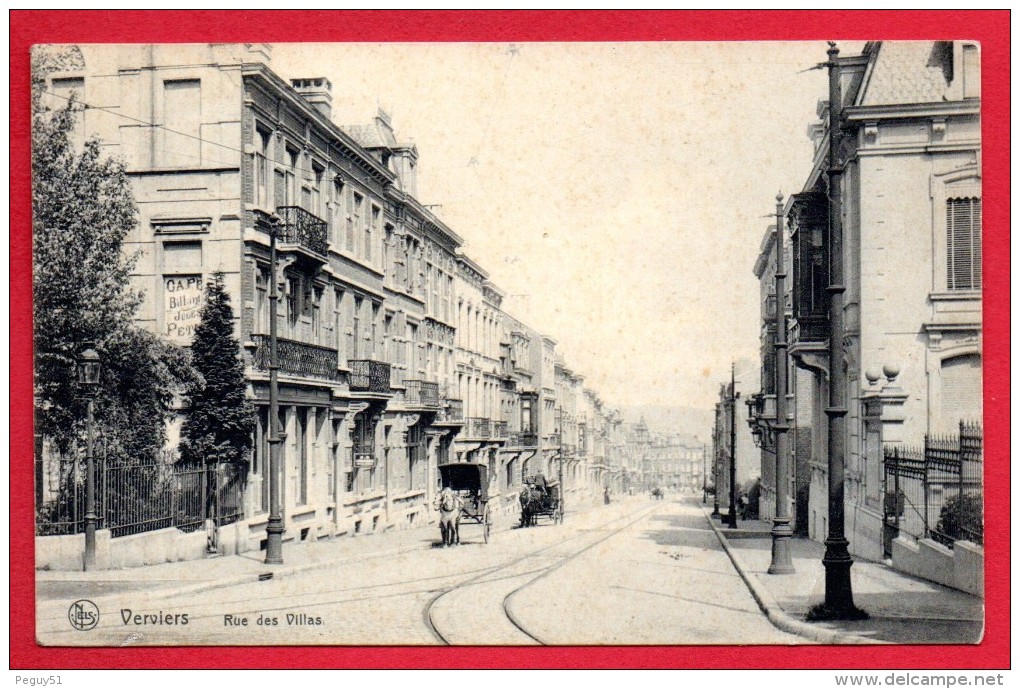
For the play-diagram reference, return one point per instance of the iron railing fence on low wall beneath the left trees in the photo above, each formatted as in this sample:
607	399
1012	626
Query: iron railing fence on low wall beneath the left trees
135	499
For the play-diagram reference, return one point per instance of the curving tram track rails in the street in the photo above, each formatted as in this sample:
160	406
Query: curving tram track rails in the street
507	614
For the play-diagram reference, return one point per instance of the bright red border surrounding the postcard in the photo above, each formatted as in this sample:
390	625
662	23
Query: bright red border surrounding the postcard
992	28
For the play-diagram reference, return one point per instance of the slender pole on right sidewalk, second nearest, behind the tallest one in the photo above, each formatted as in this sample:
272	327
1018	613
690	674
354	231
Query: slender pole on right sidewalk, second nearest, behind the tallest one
782	533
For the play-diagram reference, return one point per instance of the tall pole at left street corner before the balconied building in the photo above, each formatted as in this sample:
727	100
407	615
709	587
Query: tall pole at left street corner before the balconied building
275	528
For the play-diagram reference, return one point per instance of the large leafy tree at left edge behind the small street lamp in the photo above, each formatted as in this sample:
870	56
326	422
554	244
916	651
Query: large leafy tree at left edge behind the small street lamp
83	211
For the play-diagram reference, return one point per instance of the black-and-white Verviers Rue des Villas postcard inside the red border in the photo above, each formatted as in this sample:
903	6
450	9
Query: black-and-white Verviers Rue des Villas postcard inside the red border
549	348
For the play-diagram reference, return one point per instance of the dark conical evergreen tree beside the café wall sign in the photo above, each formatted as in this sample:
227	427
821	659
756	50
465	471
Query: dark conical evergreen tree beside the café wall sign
222	421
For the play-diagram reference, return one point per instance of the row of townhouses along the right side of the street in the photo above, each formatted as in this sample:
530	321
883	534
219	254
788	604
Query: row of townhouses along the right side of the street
909	194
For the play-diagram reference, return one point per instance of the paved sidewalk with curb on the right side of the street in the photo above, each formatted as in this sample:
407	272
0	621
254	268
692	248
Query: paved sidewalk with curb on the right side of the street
902	609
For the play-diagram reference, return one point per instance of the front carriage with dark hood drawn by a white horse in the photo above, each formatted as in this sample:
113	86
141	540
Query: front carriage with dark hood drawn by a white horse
465	497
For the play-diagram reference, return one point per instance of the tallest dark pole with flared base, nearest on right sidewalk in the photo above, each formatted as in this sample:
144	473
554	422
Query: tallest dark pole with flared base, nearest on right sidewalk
839	592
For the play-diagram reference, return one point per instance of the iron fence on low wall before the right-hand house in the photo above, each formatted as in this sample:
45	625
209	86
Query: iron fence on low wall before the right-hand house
935	491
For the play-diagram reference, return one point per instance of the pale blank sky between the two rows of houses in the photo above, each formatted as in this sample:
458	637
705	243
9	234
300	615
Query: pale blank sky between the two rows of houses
618	192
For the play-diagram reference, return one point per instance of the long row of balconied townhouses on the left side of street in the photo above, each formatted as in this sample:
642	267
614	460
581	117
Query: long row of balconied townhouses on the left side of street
395	353
